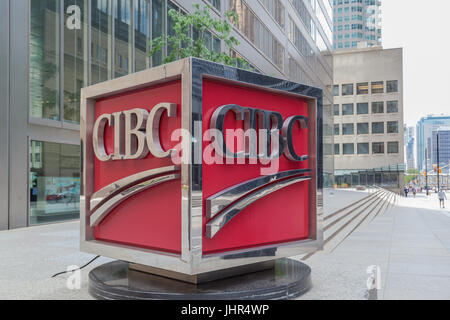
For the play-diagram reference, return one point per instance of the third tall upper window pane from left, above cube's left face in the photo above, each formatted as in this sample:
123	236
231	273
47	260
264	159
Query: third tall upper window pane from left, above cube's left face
101	39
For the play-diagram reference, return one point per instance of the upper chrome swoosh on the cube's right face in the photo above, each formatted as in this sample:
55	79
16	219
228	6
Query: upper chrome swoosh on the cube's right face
221	200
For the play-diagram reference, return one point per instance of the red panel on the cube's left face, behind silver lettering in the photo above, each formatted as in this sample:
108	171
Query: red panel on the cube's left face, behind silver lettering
151	219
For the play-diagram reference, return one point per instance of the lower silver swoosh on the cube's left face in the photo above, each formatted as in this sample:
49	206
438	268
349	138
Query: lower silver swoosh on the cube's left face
108	206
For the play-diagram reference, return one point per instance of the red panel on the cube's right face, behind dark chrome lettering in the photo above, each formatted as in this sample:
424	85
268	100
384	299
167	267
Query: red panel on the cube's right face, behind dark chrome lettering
277	218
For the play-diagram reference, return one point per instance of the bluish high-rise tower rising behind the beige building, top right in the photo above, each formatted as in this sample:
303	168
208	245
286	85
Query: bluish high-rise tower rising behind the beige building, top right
357	24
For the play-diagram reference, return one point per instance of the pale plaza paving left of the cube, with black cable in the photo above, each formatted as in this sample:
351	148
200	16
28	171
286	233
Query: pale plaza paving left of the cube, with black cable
30	256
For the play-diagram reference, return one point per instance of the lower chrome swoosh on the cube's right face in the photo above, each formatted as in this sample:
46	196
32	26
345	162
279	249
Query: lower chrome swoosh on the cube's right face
214	226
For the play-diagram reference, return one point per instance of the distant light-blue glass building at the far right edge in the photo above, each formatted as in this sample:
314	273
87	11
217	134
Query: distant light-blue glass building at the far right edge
424	133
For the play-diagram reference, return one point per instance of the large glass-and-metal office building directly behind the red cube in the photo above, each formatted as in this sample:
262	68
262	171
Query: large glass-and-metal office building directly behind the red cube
52	48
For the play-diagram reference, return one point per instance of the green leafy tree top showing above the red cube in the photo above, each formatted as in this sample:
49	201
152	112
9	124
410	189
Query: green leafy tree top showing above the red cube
181	44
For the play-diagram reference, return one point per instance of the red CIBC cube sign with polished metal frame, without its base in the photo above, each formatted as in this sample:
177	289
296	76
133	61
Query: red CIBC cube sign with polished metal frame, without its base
194	167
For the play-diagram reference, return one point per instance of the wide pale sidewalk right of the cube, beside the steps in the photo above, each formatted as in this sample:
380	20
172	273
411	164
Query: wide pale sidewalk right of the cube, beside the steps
411	245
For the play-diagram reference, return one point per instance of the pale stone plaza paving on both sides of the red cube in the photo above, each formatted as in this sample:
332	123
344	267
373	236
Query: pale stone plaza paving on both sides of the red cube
410	243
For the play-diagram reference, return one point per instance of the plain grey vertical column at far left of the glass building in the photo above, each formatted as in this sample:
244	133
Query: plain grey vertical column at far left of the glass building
18	116
